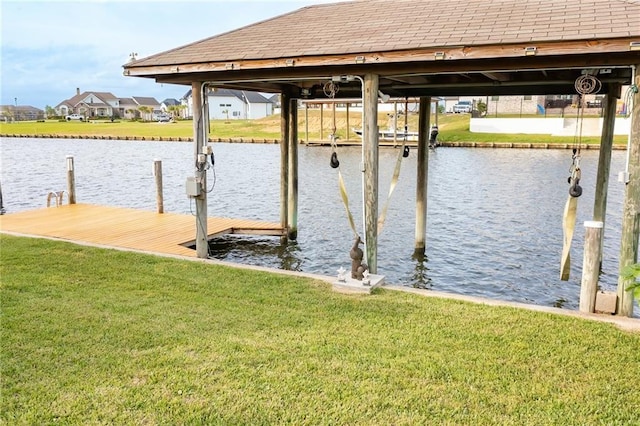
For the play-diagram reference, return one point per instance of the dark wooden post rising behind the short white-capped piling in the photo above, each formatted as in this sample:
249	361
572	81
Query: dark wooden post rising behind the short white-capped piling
604	160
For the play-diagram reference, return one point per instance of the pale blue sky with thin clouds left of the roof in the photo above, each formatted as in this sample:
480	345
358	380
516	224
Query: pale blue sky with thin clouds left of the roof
50	48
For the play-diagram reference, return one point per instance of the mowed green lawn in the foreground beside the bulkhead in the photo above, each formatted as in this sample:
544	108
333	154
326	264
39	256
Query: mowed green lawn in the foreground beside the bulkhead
94	336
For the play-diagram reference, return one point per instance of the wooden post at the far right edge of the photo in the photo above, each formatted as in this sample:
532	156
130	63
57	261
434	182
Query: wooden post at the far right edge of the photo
631	209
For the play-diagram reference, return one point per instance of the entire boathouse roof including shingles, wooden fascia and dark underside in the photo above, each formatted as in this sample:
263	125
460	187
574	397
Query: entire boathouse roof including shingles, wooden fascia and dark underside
429	47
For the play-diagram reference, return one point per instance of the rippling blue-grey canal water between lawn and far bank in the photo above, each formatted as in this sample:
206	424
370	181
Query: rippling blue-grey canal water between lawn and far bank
493	225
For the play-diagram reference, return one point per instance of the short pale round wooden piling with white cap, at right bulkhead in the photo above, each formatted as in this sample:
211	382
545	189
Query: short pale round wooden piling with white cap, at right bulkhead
590	265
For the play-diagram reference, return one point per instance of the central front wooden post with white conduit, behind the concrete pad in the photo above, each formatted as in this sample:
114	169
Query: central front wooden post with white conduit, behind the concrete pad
370	172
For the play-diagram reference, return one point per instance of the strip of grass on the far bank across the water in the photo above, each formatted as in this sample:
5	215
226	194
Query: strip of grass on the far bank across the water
453	128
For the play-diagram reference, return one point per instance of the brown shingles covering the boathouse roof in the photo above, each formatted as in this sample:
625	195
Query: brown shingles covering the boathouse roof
364	26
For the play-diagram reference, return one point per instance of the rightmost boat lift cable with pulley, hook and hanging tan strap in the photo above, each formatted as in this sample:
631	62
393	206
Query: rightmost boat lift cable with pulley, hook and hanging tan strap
584	85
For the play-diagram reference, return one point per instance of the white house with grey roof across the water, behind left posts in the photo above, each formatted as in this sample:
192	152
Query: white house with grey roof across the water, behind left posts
234	104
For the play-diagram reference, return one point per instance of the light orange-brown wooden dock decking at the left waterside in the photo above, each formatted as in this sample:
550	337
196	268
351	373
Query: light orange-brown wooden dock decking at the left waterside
167	233
